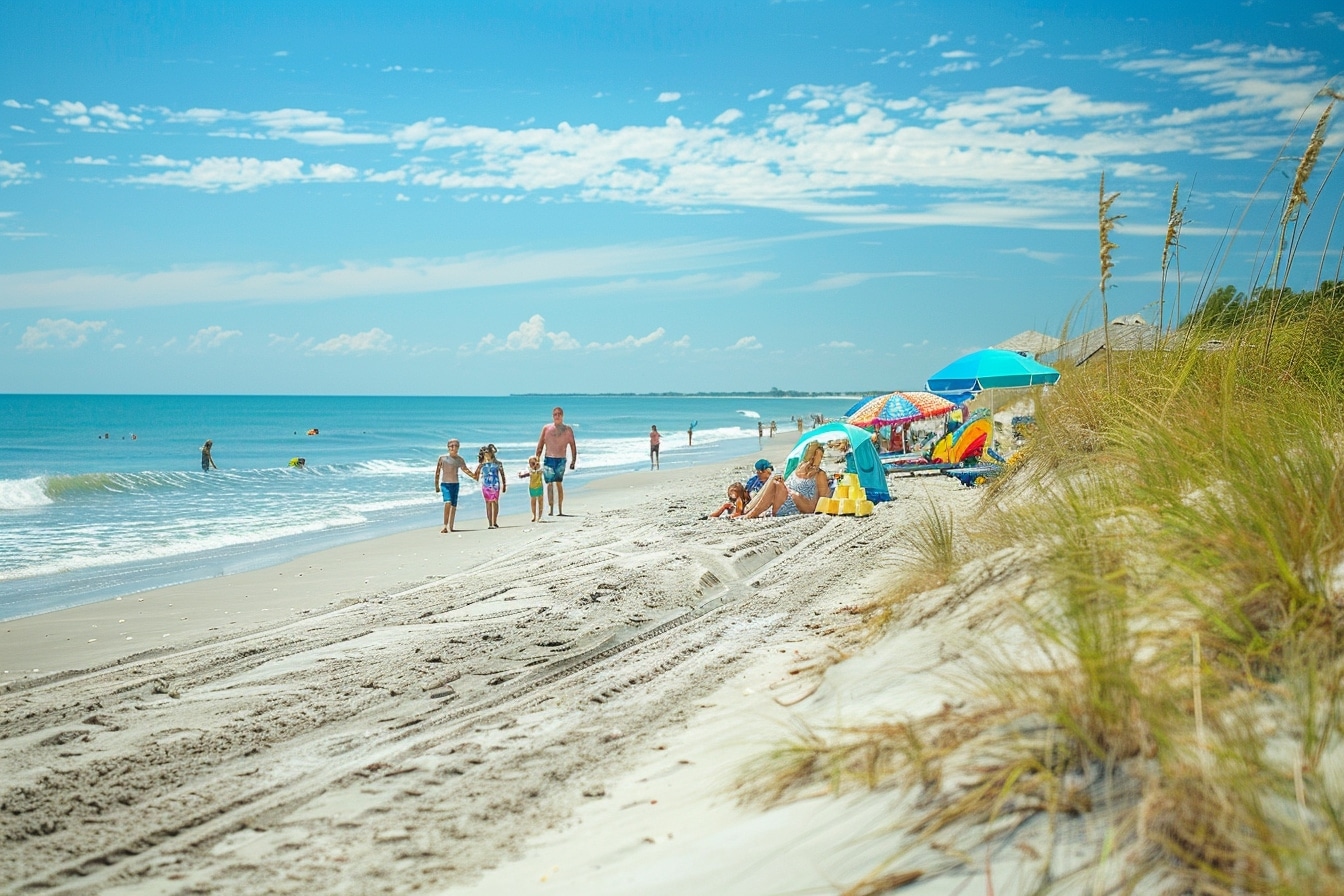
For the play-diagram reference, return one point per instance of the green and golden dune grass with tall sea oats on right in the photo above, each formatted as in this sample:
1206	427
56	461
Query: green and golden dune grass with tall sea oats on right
1166	686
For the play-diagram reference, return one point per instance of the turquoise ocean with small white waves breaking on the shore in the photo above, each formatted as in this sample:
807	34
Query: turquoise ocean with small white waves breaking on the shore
104	496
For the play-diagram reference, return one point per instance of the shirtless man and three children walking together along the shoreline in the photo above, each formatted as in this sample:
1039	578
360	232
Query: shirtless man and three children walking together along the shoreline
546	468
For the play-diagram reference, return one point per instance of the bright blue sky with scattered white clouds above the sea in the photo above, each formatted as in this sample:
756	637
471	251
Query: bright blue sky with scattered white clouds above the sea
428	198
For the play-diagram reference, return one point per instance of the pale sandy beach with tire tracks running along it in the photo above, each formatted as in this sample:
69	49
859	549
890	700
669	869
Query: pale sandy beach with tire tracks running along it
557	707
